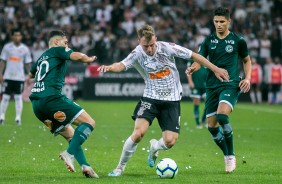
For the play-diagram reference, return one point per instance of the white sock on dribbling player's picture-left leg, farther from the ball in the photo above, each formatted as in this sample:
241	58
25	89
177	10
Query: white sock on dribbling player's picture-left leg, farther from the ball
129	148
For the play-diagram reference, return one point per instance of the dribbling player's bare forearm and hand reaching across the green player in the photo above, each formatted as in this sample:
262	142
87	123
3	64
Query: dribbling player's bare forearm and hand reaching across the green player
220	73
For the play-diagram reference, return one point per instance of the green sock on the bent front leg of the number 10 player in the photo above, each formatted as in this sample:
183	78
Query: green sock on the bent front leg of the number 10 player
81	133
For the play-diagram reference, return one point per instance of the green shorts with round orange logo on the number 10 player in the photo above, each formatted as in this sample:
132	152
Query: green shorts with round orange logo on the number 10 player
56	112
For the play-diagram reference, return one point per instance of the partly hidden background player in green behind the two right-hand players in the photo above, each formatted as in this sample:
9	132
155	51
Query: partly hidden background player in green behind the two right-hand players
197	84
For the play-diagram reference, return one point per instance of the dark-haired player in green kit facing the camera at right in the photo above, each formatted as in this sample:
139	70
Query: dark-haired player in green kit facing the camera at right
224	48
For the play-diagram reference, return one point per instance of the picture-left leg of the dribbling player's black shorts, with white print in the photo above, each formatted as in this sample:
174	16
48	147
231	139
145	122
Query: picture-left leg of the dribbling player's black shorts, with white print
146	109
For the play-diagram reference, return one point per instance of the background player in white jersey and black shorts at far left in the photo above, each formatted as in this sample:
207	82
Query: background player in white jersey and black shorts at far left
15	58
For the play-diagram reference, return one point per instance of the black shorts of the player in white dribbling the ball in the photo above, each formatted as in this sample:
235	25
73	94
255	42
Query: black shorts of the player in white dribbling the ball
167	113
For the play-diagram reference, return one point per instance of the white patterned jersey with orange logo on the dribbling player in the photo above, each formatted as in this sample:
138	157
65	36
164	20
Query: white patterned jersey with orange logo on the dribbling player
159	71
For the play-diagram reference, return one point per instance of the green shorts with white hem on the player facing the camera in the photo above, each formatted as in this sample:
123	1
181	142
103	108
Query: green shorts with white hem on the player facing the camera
224	94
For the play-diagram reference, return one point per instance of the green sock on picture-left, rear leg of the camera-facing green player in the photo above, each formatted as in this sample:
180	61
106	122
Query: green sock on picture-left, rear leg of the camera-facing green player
219	139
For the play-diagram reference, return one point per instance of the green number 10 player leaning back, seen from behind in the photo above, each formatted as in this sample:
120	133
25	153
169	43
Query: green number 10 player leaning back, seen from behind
53	108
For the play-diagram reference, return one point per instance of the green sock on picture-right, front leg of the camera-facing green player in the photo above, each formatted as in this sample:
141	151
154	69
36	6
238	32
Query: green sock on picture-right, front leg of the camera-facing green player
223	120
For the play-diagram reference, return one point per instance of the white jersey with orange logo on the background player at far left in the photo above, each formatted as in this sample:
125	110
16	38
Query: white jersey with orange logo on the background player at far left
16	57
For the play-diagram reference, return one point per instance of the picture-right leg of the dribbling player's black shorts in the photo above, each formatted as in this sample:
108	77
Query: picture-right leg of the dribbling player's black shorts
169	116
